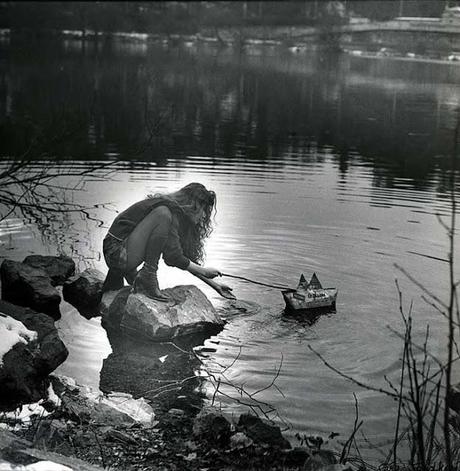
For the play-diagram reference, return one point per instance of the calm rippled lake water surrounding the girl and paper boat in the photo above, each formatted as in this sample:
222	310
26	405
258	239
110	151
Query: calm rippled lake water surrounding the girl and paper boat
321	163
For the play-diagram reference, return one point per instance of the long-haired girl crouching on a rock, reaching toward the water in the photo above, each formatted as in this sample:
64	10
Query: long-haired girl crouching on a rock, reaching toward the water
171	225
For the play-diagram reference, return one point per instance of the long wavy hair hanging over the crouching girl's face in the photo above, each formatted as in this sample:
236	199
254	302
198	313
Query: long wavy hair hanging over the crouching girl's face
190	199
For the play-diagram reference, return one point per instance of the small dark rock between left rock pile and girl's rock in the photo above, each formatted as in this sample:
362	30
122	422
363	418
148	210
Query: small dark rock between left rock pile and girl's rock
84	292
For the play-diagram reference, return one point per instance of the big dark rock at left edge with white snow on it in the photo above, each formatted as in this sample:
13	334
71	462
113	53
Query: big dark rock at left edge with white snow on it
25	367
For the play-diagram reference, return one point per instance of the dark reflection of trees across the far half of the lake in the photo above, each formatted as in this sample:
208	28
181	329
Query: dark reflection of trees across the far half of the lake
262	104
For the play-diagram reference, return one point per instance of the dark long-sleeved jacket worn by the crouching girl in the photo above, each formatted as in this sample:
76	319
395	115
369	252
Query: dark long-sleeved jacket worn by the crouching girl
127	220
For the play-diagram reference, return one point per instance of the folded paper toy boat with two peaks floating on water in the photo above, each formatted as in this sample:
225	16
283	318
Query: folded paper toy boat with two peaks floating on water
309	295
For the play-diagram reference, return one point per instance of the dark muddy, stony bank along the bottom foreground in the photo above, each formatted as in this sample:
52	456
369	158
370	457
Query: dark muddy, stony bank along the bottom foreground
178	439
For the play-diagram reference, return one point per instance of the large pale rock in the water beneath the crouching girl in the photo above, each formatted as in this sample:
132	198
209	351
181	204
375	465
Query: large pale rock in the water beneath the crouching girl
188	312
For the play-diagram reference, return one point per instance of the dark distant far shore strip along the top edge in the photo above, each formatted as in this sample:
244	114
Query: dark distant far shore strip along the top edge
188	17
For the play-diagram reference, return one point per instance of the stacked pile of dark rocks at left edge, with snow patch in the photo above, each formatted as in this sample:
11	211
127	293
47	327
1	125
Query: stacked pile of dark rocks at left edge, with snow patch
31	348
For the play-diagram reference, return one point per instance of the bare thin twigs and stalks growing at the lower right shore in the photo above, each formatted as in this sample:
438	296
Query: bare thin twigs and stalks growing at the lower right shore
427	425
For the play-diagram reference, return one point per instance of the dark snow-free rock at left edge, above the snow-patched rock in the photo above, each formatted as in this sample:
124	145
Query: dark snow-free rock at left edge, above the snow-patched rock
29	287
